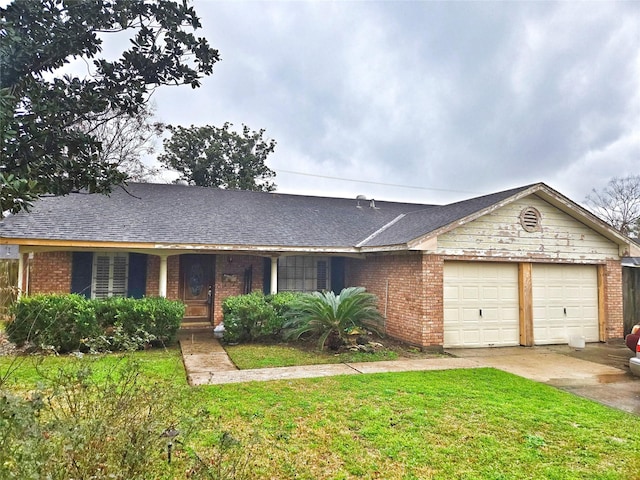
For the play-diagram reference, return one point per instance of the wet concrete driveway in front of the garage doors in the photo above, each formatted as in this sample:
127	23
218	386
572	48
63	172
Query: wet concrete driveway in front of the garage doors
599	372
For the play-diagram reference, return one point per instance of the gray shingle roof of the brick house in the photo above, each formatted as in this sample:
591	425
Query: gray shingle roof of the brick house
179	214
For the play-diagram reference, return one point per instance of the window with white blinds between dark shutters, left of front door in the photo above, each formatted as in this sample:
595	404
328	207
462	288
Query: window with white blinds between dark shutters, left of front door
110	275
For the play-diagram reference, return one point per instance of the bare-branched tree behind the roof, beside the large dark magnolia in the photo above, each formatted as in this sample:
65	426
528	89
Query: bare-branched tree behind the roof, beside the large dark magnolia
125	139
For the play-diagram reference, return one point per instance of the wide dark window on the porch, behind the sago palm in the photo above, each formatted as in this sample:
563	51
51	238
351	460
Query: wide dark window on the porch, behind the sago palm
303	274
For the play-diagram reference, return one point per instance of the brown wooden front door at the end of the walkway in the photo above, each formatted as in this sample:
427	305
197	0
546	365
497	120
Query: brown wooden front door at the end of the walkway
196	288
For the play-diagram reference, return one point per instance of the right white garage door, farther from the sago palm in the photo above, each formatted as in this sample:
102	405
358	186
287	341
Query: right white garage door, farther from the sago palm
565	303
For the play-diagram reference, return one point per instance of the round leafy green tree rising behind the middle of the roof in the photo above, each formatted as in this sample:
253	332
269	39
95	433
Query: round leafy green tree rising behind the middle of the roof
209	156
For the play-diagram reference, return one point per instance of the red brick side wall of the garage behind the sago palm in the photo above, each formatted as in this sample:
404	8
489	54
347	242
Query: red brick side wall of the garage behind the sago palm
397	281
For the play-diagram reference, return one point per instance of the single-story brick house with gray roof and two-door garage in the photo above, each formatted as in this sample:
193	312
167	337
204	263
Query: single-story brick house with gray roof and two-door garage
520	267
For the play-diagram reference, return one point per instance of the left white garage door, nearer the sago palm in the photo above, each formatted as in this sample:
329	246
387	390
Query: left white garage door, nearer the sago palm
480	304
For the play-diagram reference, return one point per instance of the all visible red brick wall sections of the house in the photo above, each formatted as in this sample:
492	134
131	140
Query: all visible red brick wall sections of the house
409	288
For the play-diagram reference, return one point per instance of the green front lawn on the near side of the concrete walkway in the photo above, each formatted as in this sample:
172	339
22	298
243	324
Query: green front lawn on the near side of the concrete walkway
462	424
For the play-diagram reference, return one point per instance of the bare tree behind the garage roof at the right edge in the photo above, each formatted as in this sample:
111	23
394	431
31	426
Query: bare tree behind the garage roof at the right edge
618	204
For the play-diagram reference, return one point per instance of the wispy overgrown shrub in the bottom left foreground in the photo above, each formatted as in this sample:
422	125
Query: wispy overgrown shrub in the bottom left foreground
80	425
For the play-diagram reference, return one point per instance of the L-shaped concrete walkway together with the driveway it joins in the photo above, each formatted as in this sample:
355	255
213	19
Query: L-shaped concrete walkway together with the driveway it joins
587	373
